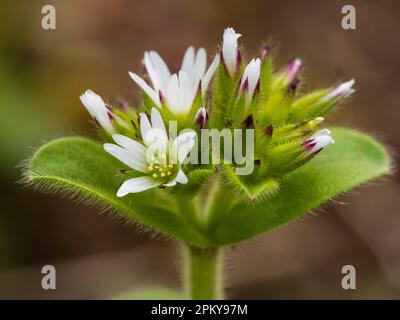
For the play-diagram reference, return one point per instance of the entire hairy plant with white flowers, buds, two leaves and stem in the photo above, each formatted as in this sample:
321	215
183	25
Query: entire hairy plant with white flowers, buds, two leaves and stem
181	186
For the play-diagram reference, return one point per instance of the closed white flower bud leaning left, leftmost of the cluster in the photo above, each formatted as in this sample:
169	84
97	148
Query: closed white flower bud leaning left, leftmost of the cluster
98	110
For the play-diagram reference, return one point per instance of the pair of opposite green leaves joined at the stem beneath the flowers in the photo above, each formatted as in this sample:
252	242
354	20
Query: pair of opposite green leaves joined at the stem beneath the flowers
81	167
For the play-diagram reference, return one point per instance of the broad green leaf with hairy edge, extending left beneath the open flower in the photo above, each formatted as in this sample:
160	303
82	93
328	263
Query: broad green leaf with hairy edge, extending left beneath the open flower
82	168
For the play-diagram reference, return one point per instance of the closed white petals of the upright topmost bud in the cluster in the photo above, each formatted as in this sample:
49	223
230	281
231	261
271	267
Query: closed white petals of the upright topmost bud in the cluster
230	51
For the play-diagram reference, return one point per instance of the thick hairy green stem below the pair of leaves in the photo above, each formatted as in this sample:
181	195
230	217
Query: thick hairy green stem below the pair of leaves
203	273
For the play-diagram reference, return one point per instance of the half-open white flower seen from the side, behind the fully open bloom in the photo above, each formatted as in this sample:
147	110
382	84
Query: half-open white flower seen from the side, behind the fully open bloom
177	91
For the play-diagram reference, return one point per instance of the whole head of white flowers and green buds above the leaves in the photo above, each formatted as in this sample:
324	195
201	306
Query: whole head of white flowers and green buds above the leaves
227	94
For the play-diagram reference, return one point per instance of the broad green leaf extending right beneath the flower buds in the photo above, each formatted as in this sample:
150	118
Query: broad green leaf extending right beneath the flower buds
354	159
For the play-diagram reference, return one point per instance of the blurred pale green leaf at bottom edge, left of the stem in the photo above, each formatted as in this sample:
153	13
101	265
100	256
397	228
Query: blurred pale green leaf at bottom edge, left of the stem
149	294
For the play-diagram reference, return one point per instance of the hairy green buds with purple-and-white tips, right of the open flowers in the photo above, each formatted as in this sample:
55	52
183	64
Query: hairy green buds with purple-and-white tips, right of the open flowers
286	124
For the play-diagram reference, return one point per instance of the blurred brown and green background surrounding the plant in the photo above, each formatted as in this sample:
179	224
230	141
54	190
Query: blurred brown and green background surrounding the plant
42	74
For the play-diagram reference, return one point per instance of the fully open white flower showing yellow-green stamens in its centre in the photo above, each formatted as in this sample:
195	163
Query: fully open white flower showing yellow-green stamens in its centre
159	158
